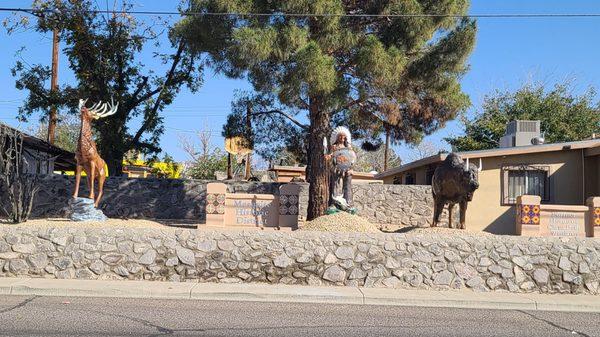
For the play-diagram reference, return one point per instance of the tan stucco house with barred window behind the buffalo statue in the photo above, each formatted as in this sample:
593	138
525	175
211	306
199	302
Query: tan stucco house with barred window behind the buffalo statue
560	173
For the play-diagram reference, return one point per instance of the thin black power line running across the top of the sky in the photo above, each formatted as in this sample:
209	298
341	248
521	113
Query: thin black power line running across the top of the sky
304	15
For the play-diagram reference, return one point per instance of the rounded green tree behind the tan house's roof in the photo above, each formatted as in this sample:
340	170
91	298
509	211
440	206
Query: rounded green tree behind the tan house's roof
564	116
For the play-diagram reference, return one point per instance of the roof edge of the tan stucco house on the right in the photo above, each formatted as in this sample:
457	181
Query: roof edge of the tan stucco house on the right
592	147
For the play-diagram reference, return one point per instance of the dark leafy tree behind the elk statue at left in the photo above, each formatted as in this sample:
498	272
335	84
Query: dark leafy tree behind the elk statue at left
102	51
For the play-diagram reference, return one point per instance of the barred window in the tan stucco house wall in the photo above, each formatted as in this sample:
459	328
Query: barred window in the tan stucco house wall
525	179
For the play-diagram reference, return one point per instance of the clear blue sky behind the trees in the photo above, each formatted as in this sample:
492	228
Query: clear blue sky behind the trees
509	52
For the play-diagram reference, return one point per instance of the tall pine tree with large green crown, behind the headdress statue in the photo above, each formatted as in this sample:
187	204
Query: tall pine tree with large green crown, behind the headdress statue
341	61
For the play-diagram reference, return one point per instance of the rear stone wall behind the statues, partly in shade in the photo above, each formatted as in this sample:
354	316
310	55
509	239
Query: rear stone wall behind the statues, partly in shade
186	199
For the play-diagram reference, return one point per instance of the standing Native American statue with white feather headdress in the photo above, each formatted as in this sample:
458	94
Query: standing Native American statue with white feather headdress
340	181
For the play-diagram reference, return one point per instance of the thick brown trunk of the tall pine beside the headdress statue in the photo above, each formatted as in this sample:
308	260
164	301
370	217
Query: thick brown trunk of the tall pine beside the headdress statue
317	168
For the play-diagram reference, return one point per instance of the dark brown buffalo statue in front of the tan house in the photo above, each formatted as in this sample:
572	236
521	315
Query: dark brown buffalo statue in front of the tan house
454	182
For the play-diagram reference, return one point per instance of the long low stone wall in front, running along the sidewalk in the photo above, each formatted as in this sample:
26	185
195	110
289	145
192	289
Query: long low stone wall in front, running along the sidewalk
438	261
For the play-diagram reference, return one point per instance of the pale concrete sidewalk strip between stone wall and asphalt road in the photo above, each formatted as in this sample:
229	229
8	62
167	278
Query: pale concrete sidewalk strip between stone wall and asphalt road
287	293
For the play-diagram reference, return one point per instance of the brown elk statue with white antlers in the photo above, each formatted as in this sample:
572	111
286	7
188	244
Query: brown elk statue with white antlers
87	155
